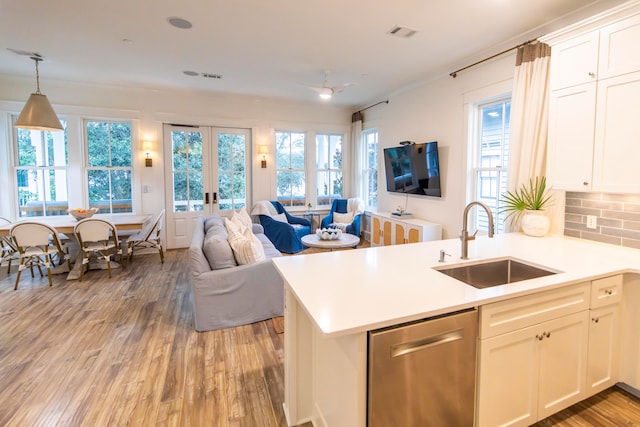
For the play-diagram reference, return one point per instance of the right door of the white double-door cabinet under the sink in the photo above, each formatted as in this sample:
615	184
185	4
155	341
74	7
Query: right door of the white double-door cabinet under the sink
563	362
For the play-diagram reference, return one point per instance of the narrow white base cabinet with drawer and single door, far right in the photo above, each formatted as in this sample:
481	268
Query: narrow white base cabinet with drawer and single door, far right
604	334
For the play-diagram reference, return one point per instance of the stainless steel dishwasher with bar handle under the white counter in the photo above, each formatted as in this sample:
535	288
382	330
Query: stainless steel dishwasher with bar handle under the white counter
423	373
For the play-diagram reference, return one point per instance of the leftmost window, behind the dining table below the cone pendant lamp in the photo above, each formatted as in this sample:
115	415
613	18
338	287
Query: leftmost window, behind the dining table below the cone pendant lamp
41	172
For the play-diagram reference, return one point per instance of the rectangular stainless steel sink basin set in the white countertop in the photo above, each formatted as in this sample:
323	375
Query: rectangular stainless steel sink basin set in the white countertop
494	272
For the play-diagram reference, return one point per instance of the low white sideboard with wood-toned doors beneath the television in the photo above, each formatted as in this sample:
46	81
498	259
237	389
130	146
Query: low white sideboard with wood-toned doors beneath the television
387	230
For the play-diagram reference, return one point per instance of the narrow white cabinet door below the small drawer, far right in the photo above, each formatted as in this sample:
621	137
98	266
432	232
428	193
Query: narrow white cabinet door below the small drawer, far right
603	359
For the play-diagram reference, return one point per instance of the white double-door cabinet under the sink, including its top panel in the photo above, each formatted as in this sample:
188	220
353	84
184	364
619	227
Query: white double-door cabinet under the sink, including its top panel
528	373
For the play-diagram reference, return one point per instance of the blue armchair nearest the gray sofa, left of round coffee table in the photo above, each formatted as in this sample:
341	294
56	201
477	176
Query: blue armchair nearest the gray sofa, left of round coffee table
285	236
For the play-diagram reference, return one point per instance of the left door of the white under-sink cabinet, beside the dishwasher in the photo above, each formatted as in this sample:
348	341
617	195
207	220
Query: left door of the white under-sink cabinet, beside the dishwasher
508	379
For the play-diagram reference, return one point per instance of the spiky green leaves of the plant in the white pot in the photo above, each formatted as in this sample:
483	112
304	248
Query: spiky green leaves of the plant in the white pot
533	196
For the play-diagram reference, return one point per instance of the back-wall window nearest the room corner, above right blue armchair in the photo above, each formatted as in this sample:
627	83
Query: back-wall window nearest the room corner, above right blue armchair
329	168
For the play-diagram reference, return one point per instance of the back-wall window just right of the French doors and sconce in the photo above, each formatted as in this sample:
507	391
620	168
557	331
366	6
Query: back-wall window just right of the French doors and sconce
290	170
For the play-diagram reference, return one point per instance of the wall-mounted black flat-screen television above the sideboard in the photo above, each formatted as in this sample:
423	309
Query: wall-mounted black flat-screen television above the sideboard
413	169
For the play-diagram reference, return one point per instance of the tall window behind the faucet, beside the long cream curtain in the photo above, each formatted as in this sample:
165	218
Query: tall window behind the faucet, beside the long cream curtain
491	160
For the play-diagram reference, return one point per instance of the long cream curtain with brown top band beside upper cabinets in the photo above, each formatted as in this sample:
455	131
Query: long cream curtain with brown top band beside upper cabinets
529	109
